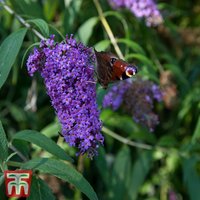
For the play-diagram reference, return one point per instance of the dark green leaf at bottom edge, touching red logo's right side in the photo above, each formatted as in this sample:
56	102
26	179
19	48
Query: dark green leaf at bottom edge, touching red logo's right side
40	190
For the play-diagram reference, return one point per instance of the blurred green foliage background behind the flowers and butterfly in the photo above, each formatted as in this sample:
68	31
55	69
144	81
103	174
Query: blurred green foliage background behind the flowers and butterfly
170	169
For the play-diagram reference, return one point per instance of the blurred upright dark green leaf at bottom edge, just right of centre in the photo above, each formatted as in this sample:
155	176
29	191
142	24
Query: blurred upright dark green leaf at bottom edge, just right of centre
121	174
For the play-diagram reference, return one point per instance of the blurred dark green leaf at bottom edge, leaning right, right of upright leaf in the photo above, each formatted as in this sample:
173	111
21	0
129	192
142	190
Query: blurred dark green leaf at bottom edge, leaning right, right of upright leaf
140	170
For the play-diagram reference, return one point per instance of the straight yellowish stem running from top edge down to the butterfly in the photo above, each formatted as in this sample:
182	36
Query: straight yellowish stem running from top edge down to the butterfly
108	29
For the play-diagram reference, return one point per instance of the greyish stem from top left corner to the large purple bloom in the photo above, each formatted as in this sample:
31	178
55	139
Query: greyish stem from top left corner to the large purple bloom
22	21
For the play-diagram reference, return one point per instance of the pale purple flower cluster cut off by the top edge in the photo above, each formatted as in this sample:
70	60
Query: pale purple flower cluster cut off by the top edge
141	8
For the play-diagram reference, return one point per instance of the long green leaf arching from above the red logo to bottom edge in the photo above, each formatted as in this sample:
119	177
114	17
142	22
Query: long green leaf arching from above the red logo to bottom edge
63	171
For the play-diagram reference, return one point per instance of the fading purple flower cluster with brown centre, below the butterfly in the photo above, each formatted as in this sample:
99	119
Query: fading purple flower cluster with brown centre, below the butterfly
137	98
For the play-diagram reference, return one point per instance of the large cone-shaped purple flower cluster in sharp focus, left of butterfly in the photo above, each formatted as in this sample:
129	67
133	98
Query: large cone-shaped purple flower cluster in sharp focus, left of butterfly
68	72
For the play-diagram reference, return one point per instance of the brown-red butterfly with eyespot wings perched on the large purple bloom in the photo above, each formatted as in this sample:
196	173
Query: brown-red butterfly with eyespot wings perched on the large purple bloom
110	68
